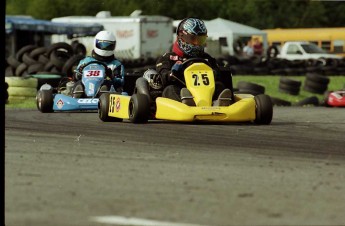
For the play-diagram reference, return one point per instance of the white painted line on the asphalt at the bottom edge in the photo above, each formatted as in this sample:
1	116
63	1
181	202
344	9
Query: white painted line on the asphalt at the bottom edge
120	220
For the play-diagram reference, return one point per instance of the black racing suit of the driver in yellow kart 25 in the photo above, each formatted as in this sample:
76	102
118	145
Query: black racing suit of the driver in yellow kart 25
172	87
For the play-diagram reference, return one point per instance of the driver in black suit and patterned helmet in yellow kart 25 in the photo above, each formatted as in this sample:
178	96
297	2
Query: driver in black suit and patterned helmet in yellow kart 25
190	43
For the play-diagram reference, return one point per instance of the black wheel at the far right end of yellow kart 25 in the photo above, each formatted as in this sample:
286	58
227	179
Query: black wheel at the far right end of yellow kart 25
263	110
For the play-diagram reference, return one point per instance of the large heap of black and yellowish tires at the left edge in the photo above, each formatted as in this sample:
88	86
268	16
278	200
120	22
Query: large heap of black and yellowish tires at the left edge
32	66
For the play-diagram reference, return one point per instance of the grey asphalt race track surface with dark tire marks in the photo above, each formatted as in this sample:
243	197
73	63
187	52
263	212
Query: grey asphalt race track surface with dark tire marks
71	169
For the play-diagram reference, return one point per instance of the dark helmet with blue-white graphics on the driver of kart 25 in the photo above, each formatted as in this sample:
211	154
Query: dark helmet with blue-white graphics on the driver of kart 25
191	36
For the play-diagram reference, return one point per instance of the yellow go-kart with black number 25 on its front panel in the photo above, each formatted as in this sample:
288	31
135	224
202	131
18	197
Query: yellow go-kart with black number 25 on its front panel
199	80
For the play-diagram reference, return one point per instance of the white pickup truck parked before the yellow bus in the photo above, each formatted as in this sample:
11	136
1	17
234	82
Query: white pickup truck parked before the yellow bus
302	51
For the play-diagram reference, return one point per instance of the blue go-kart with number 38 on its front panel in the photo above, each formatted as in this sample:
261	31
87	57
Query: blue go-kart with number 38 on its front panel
69	96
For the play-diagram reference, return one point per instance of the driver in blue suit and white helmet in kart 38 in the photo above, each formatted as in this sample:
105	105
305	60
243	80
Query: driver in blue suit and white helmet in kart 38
103	51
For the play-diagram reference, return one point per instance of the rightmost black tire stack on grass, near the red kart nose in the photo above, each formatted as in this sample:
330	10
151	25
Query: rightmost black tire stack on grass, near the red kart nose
316	83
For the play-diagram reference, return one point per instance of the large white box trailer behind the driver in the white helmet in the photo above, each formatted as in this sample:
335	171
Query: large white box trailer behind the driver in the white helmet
137	36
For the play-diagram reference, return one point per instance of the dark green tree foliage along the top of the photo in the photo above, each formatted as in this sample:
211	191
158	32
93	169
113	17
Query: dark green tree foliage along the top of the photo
261	14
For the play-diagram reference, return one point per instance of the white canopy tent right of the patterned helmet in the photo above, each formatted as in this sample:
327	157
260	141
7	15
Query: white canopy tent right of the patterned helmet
230	31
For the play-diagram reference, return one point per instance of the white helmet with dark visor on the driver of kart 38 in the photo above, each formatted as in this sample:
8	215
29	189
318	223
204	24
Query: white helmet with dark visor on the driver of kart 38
104	43
